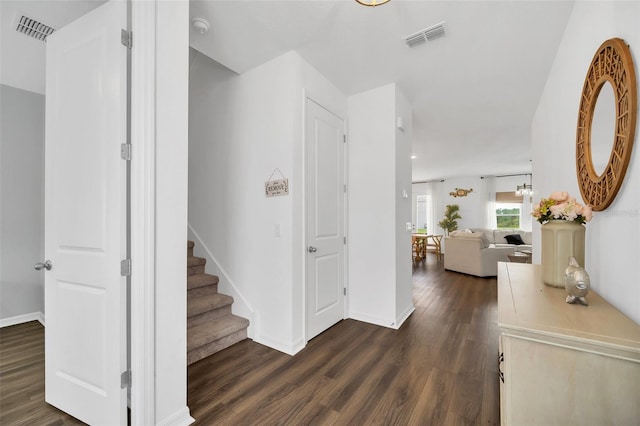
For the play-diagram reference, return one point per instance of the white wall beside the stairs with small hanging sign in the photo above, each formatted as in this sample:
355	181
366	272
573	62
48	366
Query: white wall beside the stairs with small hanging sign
243	128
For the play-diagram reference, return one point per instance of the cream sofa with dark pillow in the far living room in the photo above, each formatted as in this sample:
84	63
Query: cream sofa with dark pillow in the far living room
476	254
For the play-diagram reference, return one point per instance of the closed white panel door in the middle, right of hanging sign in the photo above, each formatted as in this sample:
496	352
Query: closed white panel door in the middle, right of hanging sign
324	147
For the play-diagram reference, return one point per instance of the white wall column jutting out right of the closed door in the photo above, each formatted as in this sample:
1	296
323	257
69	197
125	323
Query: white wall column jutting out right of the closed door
377	212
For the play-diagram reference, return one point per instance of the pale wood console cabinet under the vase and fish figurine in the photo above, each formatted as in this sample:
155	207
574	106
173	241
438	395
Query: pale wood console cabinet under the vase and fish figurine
563	364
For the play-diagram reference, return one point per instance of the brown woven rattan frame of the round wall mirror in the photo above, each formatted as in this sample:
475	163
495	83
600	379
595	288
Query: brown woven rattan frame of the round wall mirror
612	63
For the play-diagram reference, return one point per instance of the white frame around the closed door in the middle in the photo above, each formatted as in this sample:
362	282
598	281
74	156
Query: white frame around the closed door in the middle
309	95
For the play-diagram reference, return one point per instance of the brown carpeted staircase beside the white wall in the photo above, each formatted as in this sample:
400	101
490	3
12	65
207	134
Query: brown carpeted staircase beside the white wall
211	326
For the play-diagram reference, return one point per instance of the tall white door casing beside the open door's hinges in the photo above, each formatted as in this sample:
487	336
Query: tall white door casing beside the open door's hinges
143	107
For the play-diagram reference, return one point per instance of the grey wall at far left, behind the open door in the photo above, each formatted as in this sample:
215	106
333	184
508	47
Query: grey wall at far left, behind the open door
21	205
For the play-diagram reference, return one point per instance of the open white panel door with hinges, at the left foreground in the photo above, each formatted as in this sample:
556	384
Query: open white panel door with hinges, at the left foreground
85	217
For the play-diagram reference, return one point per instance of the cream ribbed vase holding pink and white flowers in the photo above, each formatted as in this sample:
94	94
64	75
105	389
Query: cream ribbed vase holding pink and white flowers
561	240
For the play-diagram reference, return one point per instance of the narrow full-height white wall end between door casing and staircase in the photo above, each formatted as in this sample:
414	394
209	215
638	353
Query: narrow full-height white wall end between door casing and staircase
171	114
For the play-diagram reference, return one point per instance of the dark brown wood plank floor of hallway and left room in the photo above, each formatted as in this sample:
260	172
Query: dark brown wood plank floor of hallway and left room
440	368
